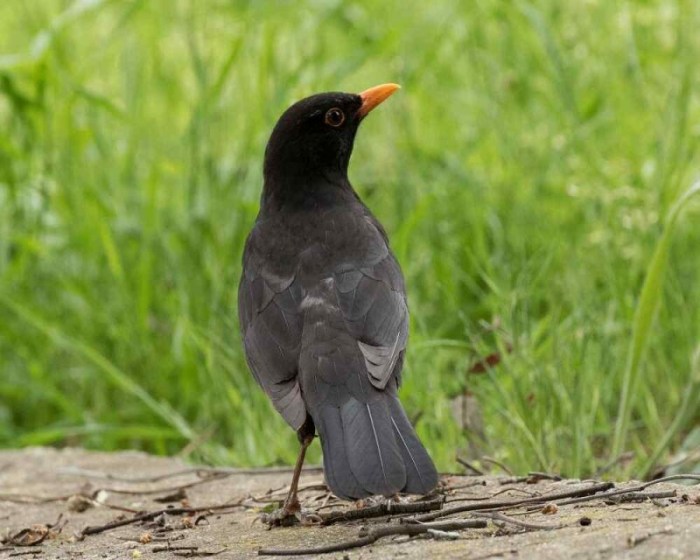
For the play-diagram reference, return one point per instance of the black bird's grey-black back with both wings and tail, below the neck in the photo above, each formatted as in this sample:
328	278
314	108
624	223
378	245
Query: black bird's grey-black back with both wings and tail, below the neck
325	324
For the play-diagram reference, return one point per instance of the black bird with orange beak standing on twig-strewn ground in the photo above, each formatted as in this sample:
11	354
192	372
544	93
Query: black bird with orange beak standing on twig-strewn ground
322	307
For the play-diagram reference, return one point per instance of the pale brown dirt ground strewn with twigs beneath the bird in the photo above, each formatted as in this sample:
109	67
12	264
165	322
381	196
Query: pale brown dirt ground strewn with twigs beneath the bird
658	528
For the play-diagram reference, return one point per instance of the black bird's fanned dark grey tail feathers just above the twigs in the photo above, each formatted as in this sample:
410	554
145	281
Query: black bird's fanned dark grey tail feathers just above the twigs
371	448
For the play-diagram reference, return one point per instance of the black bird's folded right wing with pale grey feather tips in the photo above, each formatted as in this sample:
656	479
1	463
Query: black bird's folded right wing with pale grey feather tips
371	298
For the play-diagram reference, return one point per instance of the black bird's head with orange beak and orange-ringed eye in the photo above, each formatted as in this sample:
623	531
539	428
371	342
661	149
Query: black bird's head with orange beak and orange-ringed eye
313	139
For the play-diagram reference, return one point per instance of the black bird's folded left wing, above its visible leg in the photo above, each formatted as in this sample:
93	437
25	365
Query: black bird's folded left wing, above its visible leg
271	326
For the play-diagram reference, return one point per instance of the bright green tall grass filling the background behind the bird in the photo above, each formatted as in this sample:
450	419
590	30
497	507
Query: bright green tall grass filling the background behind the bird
528	174
